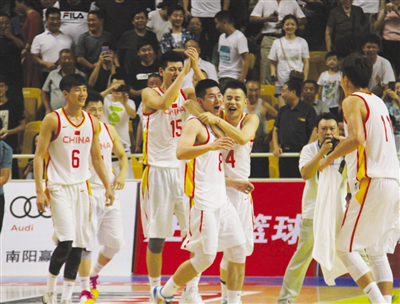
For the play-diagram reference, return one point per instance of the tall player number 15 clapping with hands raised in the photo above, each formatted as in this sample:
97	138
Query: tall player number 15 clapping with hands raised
163	117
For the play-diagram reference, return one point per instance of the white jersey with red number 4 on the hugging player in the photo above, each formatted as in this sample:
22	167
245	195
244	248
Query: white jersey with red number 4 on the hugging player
237	161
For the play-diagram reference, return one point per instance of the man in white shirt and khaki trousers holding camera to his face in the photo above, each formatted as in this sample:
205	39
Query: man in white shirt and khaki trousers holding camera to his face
311	154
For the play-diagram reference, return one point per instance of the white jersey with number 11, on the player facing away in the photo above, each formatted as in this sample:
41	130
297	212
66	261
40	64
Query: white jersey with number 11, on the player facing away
376	156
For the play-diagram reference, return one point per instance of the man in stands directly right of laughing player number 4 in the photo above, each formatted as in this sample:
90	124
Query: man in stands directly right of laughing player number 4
262	108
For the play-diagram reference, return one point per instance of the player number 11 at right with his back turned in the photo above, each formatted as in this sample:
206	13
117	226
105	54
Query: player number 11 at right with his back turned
372	218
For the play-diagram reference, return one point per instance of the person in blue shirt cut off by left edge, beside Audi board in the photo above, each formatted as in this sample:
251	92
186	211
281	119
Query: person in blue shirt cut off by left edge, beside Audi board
6	161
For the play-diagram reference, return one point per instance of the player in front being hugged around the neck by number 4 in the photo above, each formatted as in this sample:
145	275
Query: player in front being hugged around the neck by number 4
213	220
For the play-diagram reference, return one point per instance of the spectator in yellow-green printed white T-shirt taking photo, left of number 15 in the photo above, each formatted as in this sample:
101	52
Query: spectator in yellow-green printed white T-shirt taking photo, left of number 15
118	109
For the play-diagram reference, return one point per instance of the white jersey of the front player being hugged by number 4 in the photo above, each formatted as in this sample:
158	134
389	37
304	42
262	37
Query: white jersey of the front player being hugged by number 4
204	181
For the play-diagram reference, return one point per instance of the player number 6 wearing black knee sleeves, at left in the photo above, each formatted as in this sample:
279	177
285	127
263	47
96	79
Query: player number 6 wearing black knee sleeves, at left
68	137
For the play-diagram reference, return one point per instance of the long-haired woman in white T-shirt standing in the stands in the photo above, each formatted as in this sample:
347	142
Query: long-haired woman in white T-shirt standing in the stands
288	53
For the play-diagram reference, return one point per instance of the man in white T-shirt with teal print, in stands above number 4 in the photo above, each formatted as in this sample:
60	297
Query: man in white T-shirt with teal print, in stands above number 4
234	59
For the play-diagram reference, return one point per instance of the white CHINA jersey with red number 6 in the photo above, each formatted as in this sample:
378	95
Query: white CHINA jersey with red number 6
69	151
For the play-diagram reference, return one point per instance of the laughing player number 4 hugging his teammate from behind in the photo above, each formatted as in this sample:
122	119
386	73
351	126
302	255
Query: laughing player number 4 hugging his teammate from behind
241	127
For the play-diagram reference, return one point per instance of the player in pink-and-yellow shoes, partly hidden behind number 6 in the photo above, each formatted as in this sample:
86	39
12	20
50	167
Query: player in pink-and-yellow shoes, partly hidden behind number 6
106	221
